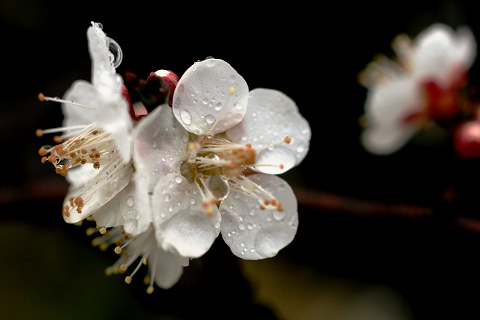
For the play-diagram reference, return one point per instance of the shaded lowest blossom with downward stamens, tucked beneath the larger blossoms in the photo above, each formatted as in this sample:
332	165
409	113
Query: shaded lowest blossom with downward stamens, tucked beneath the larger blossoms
164	268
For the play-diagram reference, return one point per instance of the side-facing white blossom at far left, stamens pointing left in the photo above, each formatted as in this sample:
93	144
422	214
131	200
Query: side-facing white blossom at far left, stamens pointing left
97	133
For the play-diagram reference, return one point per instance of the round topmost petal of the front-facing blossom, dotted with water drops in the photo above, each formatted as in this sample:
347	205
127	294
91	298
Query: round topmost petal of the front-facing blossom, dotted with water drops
211	97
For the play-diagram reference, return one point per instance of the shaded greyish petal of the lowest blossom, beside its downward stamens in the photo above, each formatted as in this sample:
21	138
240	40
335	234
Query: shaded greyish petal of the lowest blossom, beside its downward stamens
167	269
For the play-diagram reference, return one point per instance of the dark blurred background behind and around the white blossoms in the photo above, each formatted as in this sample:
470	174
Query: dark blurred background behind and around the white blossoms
390	238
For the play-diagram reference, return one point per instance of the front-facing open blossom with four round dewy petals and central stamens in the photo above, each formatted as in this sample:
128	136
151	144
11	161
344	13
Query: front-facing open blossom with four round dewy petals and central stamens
234	135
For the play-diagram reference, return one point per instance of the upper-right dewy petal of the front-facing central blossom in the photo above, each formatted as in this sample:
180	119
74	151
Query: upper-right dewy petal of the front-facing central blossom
271	116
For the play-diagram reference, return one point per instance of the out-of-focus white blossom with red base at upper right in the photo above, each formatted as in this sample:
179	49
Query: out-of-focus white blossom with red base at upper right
423	86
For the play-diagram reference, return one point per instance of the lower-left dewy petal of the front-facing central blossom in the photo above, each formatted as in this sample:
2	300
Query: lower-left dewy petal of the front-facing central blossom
181	223
